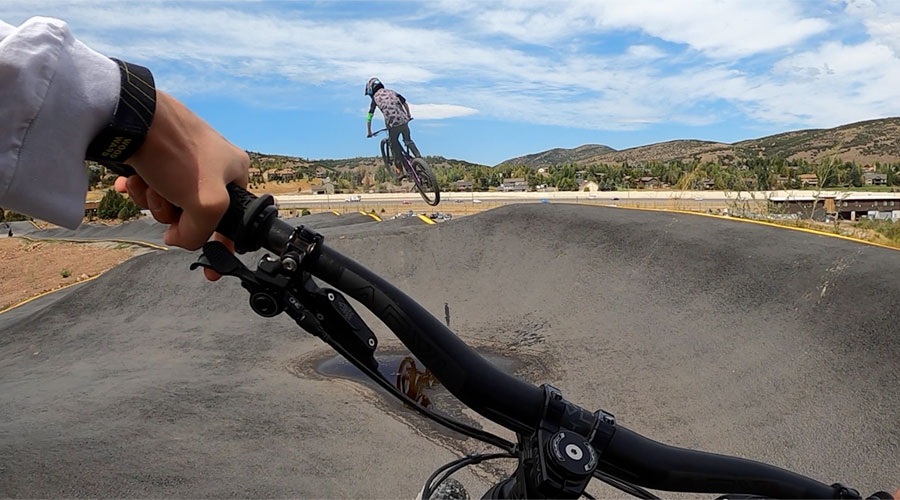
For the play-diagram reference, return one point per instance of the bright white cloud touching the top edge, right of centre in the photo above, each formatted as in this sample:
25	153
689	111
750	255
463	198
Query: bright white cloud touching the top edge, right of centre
717	28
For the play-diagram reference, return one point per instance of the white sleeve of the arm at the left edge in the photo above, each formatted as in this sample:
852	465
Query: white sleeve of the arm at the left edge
55	95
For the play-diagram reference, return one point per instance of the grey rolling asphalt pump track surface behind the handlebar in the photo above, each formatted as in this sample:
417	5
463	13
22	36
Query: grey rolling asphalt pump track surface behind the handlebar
713	334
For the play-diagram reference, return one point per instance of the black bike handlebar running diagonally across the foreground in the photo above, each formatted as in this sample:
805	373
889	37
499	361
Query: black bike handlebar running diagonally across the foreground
512	402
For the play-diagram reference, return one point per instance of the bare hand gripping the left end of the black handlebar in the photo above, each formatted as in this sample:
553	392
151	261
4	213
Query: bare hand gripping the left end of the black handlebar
183	167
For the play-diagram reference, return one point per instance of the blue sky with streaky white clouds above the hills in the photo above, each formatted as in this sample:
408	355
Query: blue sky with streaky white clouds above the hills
491	80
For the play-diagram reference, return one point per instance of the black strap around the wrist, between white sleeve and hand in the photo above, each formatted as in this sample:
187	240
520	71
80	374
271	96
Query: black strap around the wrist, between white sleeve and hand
131	120
